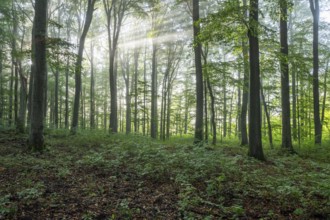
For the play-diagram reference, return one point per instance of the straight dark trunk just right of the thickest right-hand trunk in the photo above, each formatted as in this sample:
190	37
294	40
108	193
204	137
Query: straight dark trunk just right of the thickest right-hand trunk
285	87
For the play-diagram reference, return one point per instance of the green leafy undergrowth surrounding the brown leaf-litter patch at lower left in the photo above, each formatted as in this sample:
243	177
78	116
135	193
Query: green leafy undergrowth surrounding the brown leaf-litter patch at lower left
211	182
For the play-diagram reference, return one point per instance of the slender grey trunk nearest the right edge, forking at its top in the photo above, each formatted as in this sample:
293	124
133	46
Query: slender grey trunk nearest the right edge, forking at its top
314	5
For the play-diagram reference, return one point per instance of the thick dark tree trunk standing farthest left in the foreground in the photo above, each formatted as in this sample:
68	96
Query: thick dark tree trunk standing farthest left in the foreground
36	139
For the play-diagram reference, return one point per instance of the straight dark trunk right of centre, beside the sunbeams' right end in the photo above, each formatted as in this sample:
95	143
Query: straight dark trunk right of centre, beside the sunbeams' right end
199	75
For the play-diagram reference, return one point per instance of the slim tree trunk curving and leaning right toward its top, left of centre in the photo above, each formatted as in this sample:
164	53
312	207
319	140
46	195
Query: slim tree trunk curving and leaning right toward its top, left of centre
78	67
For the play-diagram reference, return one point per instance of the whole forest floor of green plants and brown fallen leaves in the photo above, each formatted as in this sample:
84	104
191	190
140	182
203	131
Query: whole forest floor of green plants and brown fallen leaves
99	176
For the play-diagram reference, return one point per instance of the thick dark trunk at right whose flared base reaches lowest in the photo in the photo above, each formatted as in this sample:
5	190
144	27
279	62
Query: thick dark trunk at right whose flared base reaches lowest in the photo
255	143
